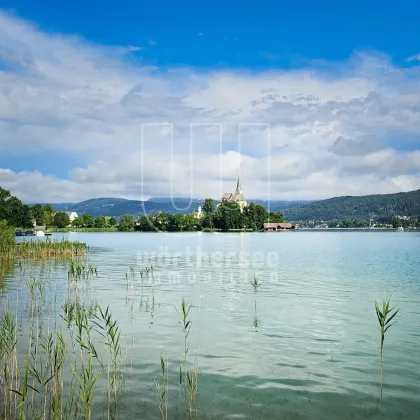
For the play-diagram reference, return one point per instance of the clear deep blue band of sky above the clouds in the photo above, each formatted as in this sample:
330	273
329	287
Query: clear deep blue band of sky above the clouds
236	33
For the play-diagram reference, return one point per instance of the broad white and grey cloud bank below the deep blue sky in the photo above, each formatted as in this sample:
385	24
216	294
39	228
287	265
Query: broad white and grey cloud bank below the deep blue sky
351	129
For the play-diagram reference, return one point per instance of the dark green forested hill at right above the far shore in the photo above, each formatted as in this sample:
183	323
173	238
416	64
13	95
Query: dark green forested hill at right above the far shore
359	208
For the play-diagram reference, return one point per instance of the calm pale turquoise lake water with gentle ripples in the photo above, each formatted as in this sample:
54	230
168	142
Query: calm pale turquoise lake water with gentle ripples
305	345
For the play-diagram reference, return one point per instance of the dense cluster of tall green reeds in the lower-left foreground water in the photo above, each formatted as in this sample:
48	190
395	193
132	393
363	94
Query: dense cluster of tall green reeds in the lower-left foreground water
57	378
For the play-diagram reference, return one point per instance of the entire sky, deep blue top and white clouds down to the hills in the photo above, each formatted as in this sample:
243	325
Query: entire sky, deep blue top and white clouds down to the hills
134	101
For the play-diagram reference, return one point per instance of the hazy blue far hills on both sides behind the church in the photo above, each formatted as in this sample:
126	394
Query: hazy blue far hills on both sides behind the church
110	206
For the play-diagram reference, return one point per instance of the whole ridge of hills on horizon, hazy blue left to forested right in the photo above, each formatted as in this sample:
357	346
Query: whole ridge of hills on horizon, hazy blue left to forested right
363	207
